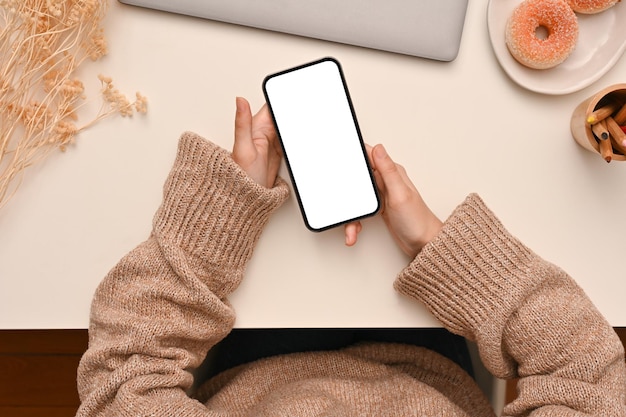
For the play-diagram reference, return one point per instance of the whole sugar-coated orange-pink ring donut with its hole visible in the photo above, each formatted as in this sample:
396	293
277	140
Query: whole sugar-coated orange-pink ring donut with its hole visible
559	22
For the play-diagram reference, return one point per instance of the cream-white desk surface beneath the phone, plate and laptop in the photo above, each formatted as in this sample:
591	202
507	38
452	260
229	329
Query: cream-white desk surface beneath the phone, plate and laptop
458	127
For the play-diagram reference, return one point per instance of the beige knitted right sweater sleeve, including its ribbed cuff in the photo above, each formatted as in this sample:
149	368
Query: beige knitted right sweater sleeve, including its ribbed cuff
529	318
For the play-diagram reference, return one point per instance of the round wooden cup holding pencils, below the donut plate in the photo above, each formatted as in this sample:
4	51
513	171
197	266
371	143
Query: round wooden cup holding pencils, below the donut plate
581	129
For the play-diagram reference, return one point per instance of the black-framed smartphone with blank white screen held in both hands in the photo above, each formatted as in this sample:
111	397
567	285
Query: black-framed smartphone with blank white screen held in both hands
322	144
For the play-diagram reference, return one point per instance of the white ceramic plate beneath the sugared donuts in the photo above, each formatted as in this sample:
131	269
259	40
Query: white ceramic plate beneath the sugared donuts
601	42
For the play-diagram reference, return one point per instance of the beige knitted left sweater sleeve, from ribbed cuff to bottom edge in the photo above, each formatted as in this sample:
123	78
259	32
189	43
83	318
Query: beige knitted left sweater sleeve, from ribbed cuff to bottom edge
158	312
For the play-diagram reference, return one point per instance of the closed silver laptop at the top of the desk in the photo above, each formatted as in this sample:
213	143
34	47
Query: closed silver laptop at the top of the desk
424	28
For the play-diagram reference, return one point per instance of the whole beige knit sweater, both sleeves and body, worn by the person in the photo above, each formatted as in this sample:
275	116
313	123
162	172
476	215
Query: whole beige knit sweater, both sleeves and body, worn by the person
159	311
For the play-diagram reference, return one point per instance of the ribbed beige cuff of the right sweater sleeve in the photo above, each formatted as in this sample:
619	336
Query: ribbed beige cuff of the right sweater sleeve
474	274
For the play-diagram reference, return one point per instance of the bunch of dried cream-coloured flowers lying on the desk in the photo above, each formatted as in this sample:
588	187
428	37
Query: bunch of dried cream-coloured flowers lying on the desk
42	44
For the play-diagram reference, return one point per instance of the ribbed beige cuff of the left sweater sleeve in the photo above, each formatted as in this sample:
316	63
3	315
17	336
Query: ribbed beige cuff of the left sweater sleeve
212	210
